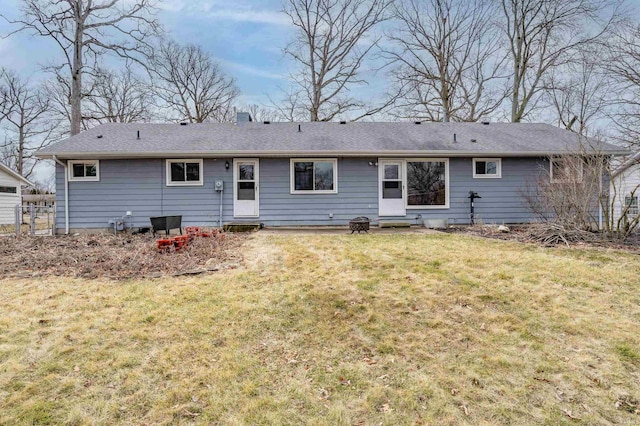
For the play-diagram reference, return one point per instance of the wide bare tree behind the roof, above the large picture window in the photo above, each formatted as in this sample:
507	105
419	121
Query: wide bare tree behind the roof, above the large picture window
449	65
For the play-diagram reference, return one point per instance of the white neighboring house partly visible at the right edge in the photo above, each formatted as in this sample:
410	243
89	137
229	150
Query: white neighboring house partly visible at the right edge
625	188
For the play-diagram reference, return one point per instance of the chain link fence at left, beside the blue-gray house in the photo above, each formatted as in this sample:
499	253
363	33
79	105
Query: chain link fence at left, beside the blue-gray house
27	219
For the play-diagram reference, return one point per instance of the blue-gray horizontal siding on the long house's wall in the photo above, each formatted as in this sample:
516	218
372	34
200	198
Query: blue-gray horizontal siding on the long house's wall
140	186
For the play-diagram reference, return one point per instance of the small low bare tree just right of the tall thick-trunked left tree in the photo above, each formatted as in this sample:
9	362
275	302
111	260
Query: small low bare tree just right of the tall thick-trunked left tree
118	97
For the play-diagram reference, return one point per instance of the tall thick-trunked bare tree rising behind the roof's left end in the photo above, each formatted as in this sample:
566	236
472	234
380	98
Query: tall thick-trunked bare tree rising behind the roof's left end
84	30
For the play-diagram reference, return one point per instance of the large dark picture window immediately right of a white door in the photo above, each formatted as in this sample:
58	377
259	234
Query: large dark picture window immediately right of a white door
426	183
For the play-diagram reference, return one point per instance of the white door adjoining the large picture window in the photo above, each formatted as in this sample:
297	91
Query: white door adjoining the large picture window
391	188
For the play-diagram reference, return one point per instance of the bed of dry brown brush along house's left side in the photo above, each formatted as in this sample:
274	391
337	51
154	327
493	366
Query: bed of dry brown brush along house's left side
114	257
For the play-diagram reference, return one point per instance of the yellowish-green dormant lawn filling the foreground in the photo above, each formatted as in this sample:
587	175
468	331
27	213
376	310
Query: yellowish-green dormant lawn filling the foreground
366	329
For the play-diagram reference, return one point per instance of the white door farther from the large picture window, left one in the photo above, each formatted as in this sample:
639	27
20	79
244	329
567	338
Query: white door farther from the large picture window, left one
246	188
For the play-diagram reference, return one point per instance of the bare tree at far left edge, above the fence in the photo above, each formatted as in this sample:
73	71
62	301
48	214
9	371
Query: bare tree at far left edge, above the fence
27	123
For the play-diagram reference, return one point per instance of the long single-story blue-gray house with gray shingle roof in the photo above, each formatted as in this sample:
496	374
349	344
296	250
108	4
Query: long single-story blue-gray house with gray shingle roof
321	173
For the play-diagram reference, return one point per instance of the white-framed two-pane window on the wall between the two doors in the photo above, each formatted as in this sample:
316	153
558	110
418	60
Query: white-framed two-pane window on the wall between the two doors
311	176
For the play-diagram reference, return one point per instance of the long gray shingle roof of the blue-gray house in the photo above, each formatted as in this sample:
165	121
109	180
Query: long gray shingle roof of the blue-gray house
362	138
